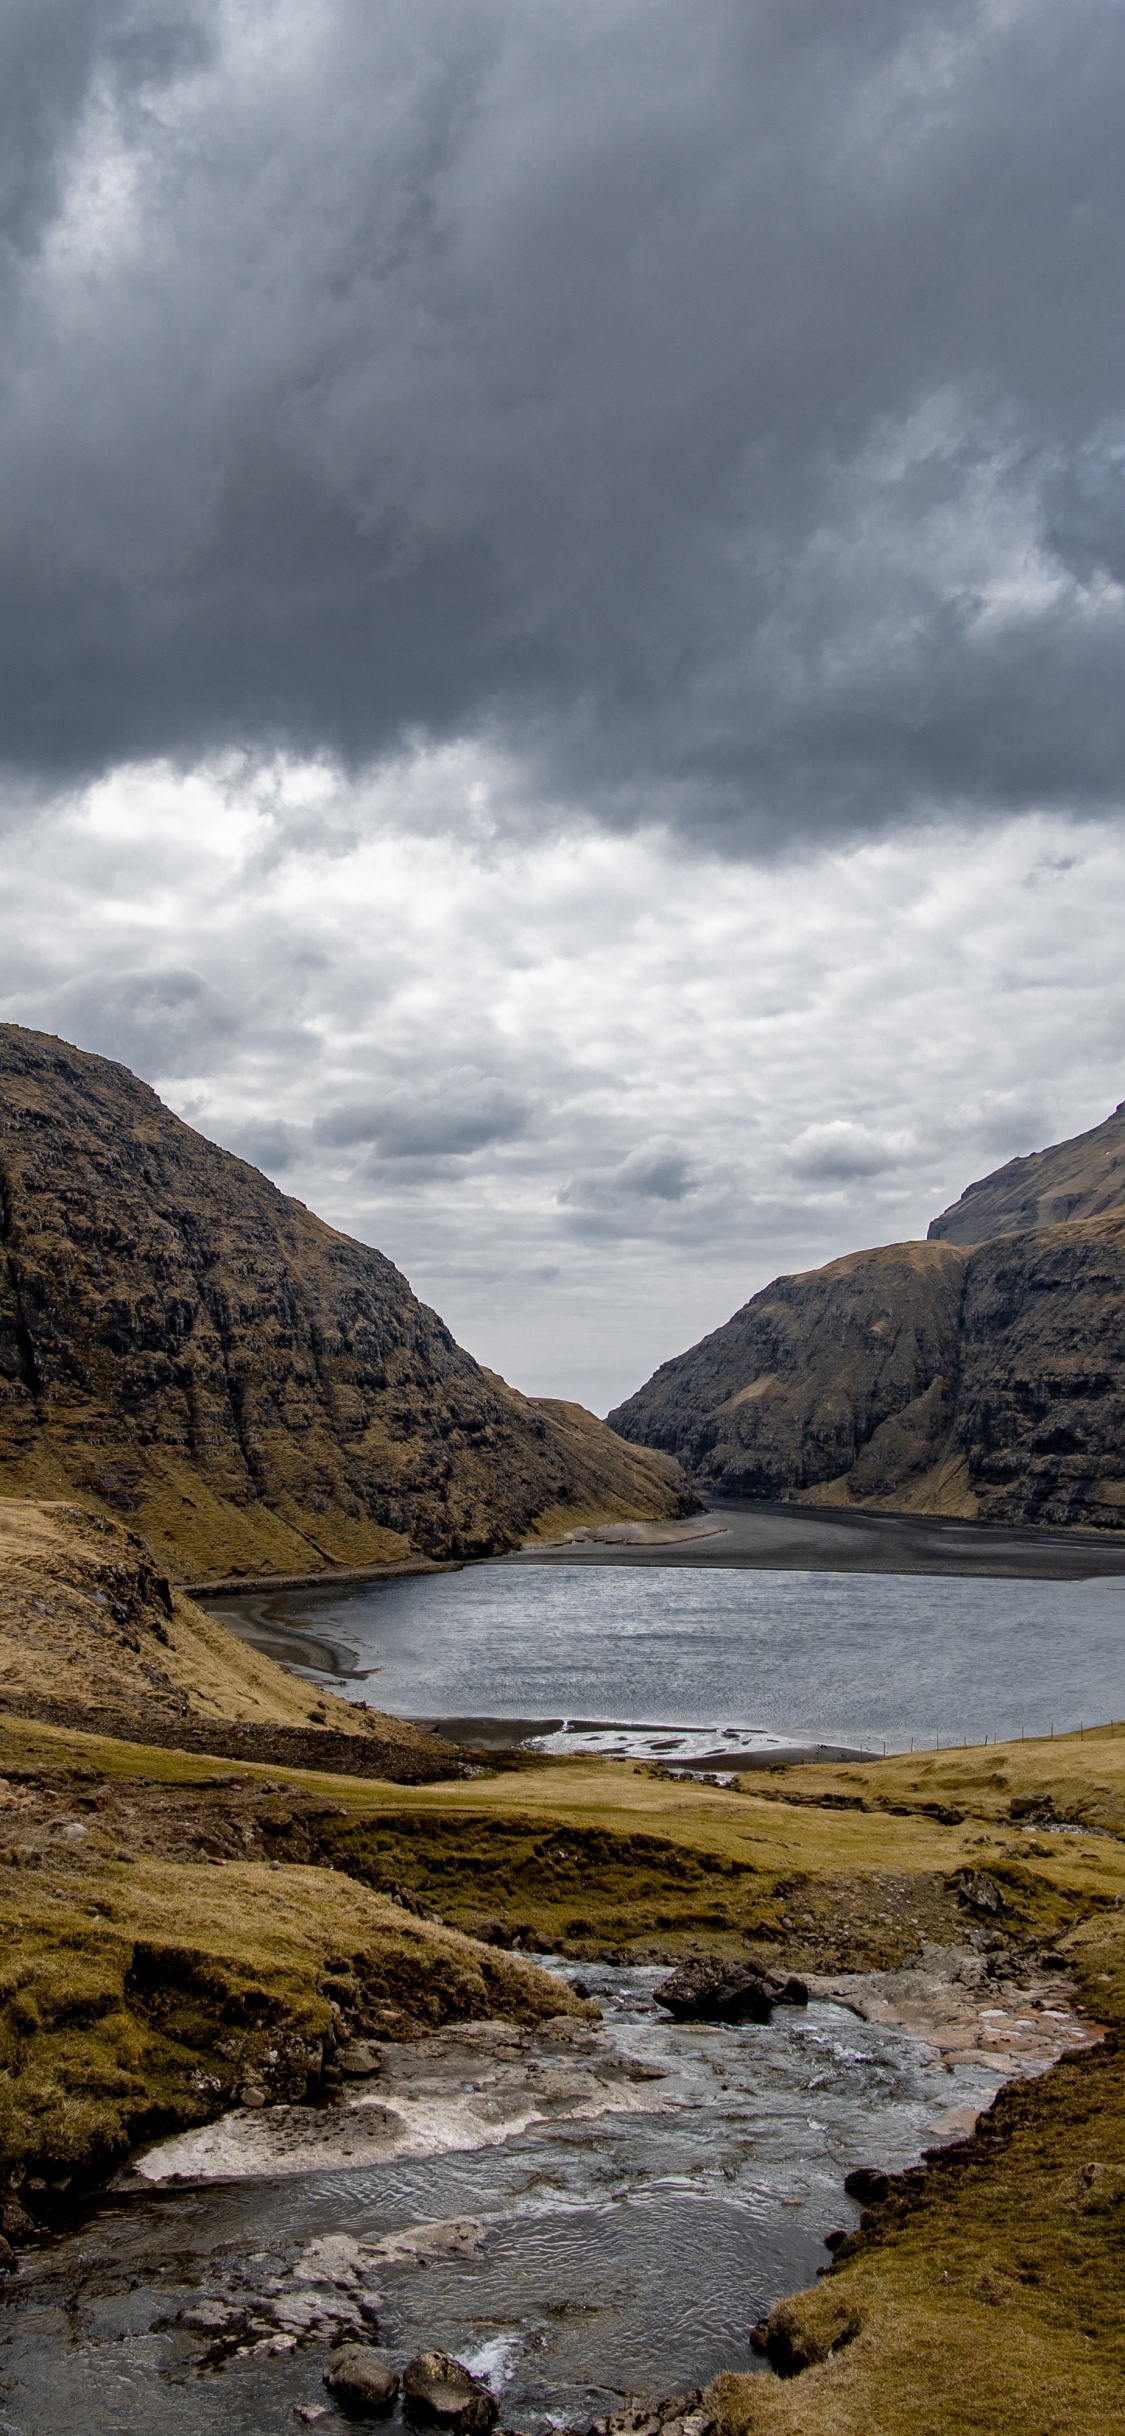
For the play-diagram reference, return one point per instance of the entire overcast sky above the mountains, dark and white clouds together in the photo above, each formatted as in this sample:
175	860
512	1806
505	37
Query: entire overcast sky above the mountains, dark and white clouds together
561	615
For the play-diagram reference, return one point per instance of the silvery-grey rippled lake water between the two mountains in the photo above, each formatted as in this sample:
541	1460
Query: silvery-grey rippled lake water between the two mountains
795	1655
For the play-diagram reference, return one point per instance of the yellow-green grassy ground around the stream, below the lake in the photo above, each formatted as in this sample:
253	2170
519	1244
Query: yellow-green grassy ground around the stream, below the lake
145	1987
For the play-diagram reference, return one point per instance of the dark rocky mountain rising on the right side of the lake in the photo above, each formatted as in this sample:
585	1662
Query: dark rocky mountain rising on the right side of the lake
968	1378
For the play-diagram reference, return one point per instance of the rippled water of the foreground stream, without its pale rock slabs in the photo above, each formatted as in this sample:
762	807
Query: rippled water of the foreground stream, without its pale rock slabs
620	2255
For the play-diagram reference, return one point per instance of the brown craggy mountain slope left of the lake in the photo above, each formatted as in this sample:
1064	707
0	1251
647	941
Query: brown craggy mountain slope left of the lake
194	1351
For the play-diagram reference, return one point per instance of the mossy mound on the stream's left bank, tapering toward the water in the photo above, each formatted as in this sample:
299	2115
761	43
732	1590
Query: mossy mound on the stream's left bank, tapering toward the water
181	1989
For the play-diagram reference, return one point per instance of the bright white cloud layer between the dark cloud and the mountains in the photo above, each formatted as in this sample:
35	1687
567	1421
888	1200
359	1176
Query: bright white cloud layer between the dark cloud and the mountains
586	1093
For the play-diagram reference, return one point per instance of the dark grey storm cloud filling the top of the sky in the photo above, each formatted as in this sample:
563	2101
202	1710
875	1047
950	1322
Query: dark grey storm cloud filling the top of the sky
720	408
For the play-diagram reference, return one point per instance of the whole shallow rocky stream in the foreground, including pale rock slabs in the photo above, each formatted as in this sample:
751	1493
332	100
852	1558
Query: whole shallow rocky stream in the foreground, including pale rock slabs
573	2216
